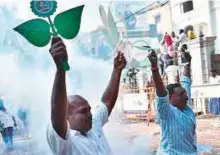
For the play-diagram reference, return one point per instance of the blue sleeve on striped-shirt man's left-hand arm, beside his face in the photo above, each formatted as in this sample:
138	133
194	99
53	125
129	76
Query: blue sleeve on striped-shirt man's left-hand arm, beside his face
163	107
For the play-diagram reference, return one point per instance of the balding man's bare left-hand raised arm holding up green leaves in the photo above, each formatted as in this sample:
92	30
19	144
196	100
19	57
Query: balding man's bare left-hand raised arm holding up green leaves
59	105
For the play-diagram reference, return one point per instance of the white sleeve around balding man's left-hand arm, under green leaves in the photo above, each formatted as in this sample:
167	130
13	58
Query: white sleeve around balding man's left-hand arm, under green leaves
58	145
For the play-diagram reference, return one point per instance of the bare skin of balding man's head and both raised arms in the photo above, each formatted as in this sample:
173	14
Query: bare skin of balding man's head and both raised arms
75	108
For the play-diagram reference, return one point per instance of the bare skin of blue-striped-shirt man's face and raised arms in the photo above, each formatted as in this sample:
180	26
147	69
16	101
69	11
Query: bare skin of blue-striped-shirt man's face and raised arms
179	97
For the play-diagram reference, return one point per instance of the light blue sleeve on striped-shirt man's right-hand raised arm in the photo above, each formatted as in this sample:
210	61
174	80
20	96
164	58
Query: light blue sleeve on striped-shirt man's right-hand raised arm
186	83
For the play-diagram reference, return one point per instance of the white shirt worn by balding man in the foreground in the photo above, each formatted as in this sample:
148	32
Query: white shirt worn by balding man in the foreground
76	144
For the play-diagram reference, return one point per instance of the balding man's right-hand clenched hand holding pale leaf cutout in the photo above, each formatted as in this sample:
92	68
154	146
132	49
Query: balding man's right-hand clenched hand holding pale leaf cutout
120	61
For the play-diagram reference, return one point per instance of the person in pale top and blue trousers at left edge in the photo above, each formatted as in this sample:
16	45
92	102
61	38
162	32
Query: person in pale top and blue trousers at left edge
8	122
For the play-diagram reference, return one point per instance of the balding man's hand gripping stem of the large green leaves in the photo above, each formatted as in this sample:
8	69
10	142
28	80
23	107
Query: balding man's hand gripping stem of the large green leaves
58	52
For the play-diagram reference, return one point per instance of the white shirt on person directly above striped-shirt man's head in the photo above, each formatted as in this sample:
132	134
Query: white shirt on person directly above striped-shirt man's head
171	72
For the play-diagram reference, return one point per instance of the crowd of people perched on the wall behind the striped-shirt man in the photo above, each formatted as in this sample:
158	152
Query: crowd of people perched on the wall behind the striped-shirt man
173	51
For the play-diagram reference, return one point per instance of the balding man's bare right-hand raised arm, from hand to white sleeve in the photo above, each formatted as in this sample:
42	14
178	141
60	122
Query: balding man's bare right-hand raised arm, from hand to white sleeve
111	93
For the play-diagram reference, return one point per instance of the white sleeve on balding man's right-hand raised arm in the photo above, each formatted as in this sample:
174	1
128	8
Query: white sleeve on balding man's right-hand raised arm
101	115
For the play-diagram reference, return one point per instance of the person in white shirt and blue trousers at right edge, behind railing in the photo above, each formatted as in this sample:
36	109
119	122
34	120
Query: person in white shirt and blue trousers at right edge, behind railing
214	103
